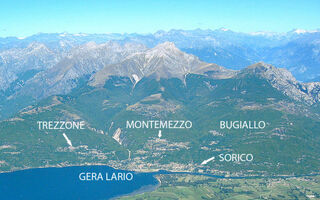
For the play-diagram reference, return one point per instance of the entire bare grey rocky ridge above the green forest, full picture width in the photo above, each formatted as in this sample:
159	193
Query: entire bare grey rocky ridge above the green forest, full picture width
94	63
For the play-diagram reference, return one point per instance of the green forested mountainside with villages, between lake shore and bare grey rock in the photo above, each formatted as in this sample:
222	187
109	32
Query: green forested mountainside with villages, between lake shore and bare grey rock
288	145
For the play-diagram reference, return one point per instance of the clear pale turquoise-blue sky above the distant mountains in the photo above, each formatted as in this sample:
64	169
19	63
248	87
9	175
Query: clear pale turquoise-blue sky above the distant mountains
27	17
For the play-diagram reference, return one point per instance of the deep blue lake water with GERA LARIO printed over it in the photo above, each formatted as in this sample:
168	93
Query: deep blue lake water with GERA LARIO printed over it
65	183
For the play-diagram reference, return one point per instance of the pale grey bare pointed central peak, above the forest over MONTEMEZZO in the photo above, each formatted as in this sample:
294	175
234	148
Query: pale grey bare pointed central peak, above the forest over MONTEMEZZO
163	61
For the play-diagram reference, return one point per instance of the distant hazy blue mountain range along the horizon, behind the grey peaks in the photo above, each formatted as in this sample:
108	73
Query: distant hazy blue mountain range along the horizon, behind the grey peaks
297	50
